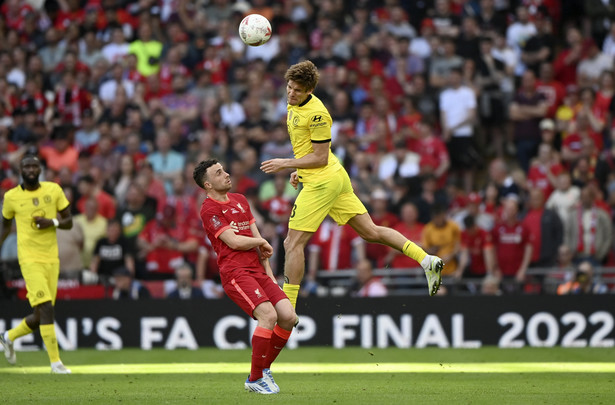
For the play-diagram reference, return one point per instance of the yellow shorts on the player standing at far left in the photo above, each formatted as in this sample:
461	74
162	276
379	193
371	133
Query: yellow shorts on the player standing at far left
41	282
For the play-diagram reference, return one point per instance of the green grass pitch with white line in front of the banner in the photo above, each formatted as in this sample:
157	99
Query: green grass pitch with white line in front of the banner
319	376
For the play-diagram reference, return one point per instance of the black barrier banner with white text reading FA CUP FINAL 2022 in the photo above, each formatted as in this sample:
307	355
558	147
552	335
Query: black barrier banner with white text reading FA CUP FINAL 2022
458	322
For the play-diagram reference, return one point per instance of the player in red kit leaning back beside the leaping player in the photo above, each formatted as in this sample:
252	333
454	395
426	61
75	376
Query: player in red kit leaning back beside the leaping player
247	278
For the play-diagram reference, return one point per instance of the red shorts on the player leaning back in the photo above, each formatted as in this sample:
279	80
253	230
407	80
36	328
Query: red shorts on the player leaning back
248	290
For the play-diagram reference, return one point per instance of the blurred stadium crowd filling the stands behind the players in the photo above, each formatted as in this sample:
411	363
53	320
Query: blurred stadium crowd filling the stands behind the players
481	129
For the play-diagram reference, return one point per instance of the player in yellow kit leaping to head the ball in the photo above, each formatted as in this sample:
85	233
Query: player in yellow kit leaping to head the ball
326	186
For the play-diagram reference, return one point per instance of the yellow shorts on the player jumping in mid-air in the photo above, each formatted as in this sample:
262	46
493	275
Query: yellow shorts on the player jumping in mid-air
333	196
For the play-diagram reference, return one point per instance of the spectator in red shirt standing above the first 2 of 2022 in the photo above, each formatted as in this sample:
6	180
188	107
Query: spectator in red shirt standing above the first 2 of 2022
513	247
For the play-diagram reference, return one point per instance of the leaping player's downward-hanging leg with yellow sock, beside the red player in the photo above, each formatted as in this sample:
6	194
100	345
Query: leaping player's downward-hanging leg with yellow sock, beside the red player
294	262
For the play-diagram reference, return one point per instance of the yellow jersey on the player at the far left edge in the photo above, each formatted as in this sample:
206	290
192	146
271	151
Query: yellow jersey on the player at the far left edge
35	245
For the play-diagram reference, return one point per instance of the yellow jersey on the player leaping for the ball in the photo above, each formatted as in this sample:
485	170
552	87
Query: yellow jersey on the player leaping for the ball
310	123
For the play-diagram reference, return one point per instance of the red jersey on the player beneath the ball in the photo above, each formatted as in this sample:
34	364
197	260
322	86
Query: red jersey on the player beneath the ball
233	214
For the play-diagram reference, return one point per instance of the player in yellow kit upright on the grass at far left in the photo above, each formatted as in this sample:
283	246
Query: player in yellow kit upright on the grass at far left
35	206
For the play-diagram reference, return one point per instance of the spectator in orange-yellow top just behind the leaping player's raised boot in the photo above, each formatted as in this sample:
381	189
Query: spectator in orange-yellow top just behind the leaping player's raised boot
442	237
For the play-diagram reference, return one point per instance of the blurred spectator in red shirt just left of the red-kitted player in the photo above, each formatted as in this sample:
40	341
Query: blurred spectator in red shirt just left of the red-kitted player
164	242
